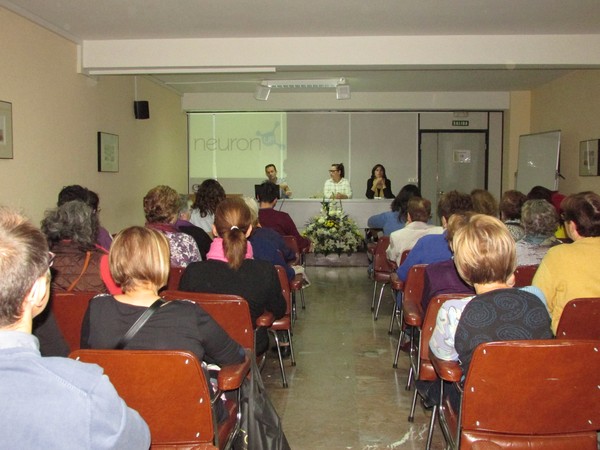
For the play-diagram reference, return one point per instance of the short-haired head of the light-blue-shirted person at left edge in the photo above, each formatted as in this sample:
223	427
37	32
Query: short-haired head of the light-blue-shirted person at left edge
23	259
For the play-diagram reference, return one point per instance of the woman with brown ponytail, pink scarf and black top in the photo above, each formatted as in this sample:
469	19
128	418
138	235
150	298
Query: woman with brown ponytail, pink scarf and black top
231	269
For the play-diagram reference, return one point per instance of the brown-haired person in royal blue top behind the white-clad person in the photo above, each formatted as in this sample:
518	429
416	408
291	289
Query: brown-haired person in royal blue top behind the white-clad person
434	247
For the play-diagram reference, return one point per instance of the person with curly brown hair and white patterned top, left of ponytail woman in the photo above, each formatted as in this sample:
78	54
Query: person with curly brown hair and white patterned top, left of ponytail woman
161	207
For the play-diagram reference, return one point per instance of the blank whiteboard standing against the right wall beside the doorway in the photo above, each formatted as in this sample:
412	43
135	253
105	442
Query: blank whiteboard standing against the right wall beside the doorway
539	155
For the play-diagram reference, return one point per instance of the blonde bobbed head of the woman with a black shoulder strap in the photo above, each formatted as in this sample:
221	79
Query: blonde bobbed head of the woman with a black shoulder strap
139	256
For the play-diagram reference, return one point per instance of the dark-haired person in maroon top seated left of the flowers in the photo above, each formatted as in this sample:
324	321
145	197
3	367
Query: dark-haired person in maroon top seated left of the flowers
279	221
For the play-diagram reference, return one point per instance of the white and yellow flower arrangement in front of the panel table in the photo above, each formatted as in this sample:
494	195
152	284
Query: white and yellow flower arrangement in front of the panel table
332	231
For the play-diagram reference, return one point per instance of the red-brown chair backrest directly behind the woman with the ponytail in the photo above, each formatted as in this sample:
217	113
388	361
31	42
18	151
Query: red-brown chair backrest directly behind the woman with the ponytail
230	311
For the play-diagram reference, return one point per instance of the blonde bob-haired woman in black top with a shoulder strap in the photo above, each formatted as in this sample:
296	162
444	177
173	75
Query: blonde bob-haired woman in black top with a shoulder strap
140	263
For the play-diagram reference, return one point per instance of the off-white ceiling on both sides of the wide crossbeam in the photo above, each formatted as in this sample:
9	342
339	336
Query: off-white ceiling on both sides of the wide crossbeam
88	20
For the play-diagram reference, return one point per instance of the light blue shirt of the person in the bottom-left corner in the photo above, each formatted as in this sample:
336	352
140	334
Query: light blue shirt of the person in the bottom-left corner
59	403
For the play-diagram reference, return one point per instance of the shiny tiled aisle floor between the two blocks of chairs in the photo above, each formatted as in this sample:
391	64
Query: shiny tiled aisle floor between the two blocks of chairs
343	393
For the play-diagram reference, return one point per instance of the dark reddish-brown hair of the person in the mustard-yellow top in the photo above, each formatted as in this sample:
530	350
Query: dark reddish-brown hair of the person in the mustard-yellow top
584	210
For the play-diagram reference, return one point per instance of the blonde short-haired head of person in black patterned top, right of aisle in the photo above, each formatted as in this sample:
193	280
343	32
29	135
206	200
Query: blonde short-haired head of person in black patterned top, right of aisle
484	251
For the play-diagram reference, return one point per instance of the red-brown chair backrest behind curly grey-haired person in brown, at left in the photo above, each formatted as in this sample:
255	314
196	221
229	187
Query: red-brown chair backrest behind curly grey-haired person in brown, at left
69	309
